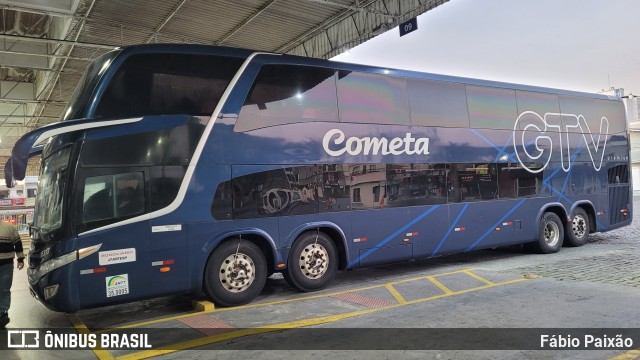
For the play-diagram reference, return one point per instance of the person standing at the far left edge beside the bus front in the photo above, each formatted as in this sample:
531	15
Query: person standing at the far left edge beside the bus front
10	247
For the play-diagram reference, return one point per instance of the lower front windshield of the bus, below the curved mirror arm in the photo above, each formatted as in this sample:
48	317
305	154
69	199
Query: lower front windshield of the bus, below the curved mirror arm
49	202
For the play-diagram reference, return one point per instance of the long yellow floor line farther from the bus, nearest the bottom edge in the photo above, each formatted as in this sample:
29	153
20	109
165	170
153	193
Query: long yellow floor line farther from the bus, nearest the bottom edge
293	324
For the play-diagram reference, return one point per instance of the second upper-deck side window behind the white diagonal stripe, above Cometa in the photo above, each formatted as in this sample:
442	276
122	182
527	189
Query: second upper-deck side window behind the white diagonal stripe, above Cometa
372	98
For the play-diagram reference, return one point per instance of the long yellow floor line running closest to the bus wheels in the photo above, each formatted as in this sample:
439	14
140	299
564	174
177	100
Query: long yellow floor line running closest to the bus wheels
276	302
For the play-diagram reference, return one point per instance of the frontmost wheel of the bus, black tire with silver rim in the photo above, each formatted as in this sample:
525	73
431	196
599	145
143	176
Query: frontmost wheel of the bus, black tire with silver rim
223	264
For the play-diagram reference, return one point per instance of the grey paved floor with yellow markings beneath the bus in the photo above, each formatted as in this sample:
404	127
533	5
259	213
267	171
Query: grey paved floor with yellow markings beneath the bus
594	286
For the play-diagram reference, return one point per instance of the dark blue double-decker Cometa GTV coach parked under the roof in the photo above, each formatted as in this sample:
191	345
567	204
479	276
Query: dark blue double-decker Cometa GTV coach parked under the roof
185	168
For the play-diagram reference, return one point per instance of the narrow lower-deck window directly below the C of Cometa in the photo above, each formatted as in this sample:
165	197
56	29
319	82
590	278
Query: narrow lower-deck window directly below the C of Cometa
335	193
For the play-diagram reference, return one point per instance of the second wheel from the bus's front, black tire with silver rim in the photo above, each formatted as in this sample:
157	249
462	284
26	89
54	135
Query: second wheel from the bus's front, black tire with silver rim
307	247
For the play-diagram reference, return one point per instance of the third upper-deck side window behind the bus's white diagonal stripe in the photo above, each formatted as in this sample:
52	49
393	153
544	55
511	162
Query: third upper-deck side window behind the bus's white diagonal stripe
435	103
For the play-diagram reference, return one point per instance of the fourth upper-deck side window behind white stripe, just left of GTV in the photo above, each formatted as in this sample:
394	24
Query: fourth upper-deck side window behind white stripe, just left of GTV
491	108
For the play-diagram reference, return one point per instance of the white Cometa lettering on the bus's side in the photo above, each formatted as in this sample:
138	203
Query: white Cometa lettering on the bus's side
373	145
